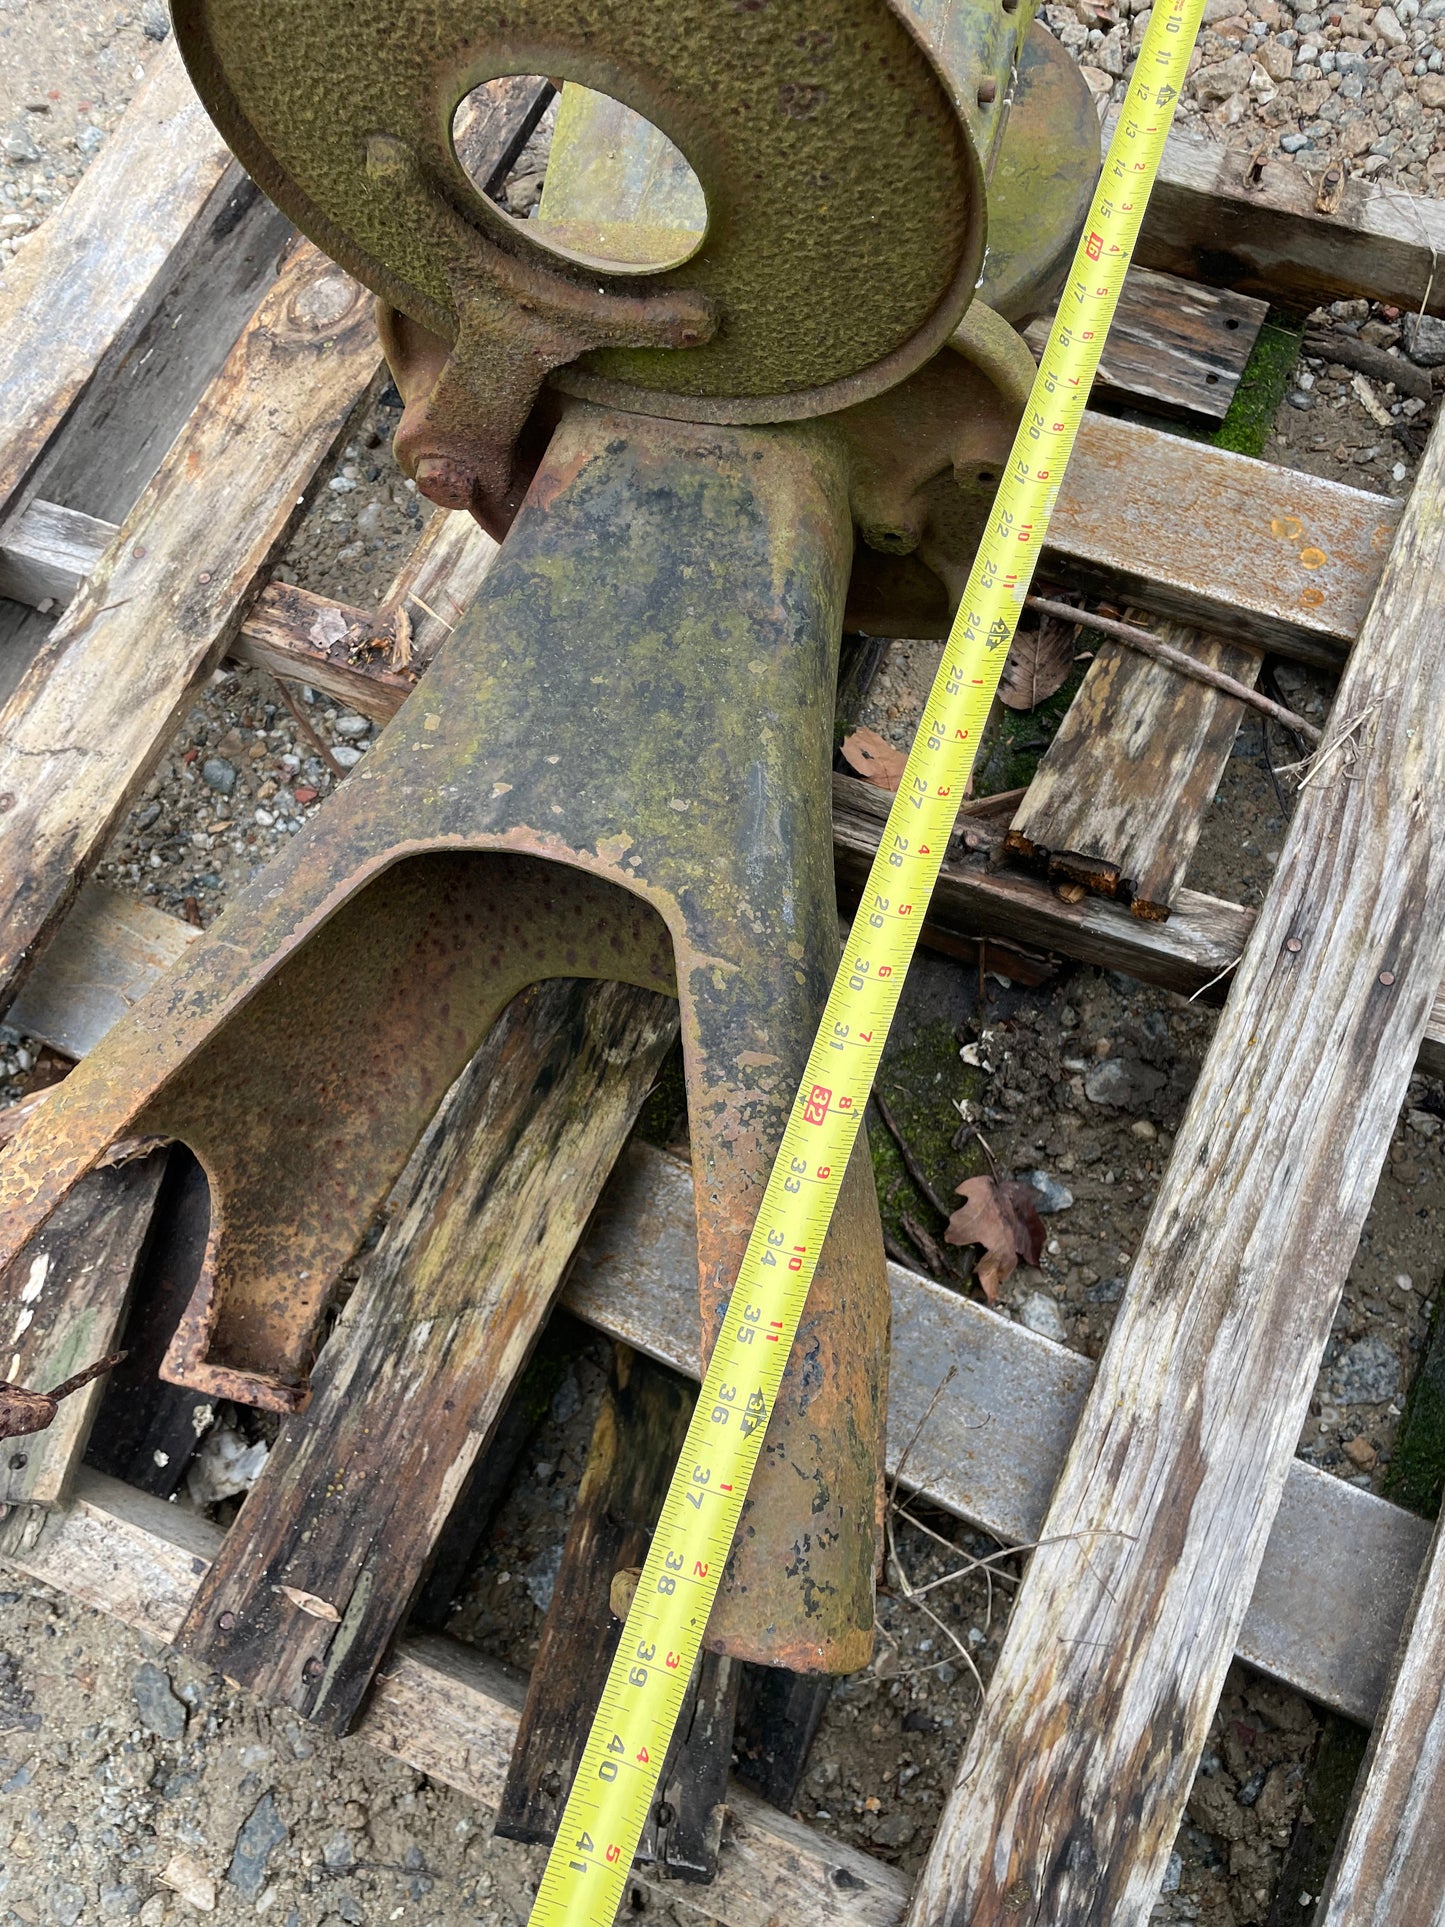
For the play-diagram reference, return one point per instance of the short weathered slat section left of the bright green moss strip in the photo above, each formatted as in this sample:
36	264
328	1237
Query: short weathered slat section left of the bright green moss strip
1174	346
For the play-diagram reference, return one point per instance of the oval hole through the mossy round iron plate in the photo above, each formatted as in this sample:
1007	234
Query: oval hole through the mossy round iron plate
621	165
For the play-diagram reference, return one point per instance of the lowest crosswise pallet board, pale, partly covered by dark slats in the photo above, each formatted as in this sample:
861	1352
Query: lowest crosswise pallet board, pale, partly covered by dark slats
444	1710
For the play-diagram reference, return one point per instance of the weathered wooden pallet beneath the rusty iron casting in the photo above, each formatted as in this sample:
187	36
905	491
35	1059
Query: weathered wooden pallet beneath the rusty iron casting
147	481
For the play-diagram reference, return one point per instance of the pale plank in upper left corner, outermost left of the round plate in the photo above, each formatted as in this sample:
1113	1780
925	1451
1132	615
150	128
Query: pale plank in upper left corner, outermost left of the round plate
72	294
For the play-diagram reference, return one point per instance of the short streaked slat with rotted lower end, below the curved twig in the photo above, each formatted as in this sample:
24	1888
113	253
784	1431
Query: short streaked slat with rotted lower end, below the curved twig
1120	795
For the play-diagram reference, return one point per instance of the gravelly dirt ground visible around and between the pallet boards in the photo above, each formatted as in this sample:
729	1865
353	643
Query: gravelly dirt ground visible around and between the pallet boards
138	1787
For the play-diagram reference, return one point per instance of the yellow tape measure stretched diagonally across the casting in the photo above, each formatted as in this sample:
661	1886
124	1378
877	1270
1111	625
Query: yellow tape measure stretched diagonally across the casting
662	1641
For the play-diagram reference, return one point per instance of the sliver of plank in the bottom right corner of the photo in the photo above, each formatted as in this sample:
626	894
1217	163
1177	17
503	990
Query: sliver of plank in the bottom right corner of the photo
1390	1868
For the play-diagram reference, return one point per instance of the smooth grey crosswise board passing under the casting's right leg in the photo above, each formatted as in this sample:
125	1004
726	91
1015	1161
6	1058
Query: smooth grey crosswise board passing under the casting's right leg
1340	1568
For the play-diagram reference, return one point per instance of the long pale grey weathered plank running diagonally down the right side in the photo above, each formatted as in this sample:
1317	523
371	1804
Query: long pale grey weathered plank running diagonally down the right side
1084	1755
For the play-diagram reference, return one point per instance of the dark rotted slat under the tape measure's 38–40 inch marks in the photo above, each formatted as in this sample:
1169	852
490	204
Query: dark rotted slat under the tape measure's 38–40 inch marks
635	1446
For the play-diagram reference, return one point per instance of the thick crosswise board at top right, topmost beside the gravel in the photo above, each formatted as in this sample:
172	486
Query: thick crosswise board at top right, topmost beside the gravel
1213	217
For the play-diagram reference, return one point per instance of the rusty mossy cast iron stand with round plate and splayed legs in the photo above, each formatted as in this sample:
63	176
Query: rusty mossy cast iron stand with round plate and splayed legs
619	764
